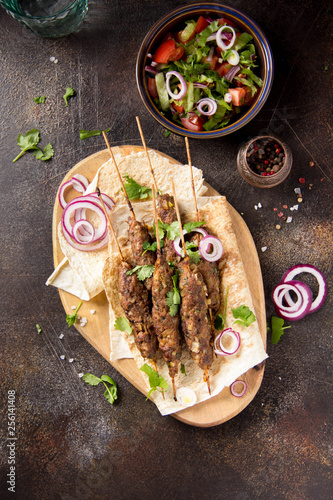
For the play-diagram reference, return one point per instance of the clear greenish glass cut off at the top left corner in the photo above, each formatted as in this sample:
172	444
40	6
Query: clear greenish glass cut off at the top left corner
48	18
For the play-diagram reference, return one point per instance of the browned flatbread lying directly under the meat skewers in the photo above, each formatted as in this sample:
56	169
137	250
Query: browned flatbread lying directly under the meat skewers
214	211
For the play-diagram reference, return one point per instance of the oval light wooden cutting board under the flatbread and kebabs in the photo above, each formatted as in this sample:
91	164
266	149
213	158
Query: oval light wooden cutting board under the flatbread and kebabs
216	410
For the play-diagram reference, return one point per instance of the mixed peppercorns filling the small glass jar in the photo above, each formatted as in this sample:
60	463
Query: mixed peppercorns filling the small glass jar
265	157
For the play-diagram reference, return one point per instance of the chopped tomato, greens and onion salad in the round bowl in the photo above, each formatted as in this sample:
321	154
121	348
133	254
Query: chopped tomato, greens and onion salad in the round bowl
205	75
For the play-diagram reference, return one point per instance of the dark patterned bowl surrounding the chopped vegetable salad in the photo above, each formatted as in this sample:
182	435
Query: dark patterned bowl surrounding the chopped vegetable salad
172	22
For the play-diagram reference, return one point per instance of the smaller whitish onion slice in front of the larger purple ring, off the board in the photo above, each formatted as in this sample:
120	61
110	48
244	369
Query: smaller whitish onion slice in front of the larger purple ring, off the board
303	309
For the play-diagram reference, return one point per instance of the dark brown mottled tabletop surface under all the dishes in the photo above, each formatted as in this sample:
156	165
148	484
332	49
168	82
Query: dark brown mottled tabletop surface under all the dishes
72	444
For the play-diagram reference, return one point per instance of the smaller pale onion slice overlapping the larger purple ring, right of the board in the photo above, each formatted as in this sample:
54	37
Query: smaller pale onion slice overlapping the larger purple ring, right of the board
298	309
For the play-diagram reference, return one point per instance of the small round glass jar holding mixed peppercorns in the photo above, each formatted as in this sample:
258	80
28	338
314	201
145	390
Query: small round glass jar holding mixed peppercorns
264	161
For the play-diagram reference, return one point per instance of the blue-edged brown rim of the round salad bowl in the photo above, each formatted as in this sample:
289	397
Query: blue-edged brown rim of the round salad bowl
193	9
